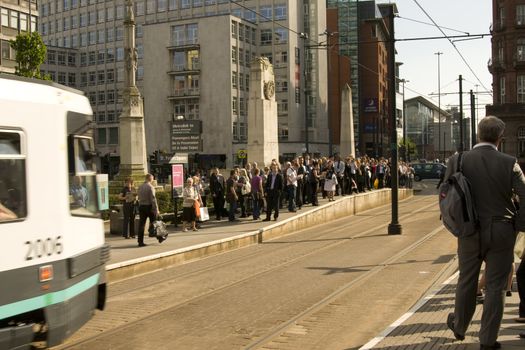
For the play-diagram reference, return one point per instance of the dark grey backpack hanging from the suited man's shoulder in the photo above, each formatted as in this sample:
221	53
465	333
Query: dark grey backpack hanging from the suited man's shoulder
456	205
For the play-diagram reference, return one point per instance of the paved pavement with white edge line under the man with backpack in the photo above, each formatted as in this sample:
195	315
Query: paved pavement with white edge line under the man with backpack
423	327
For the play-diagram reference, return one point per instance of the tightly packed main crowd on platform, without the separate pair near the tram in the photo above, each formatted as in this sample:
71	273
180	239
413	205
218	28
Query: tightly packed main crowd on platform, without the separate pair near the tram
252	190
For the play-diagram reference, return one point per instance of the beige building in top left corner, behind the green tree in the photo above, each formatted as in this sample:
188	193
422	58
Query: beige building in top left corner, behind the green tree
16	16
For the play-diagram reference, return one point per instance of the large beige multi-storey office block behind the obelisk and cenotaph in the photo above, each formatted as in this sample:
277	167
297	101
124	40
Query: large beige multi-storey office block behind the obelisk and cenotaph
193	64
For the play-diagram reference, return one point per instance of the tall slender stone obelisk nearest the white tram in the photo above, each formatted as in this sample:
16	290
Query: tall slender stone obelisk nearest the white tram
131	133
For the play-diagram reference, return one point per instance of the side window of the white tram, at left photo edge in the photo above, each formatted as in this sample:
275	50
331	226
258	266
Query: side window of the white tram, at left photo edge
13	203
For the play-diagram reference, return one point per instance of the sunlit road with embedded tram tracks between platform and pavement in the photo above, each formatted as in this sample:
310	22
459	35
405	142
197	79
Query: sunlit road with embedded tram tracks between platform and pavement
334	286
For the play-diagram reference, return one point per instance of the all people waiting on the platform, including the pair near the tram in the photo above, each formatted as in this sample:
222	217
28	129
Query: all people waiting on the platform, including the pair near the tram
253	190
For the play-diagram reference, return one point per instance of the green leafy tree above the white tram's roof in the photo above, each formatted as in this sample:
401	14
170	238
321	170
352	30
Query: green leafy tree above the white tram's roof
30	54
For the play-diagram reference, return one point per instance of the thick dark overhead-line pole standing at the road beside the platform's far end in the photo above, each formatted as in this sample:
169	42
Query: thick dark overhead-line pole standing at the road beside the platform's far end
394	228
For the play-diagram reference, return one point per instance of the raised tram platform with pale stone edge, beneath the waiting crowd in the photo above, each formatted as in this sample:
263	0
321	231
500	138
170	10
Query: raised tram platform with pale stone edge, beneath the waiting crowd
128	260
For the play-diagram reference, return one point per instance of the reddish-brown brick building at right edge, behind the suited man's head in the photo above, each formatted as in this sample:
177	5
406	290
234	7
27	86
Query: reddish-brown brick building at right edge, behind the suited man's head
507	66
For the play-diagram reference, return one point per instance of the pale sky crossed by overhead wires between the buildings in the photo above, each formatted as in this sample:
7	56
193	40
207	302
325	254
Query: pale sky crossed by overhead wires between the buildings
420	63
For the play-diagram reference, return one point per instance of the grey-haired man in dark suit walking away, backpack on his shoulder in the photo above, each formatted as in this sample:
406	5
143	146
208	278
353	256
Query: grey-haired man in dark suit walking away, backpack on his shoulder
494	177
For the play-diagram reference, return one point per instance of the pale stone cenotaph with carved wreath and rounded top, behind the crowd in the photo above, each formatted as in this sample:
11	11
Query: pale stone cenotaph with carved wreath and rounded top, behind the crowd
263	143
